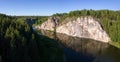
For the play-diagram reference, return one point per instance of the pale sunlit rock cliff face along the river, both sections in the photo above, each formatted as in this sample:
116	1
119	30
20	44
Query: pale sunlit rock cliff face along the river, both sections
83	27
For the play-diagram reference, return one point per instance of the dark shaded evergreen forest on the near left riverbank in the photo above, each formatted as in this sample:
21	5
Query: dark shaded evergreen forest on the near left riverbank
20	43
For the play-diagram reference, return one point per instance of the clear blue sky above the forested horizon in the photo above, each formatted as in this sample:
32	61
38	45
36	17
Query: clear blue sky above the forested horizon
49	7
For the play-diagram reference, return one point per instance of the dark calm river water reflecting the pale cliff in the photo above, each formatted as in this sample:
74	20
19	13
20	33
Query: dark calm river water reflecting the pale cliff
84	50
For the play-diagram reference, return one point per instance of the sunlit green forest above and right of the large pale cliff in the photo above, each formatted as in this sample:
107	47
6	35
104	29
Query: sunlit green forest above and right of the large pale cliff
109	19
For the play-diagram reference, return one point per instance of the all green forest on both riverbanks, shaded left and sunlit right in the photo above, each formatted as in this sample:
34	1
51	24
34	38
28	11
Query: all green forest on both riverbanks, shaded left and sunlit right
20	43
